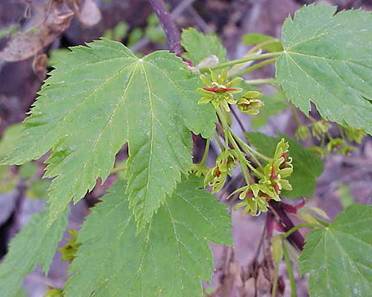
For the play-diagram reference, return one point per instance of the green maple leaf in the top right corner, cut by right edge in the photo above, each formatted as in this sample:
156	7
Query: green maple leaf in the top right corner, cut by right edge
327	59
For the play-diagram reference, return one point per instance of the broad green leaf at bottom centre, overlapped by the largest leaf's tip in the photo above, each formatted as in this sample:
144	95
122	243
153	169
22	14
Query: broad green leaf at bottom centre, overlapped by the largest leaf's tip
170	259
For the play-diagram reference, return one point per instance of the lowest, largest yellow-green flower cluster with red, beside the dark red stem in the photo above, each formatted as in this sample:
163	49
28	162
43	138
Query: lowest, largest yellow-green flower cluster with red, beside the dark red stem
271	181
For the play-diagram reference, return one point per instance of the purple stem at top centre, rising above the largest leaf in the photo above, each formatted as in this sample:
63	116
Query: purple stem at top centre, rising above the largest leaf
171	31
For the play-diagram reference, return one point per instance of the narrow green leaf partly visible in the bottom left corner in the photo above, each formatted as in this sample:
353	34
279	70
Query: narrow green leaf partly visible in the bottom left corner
34	245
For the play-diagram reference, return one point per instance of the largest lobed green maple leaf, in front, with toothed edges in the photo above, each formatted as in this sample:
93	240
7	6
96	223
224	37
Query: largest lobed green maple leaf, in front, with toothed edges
99	97
